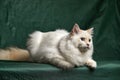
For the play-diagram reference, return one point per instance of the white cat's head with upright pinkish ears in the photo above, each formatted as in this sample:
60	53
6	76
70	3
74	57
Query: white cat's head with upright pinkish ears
81	39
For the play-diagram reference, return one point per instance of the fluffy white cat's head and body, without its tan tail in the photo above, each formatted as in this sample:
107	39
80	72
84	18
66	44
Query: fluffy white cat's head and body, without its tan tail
63	49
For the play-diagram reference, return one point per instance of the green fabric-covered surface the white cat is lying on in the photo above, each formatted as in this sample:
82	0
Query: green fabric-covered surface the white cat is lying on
33	71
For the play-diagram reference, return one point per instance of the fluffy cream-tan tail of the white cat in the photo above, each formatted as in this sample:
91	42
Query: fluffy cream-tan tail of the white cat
14	54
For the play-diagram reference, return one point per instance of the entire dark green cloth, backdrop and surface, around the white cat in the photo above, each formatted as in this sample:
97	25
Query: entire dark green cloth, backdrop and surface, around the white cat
19	18
